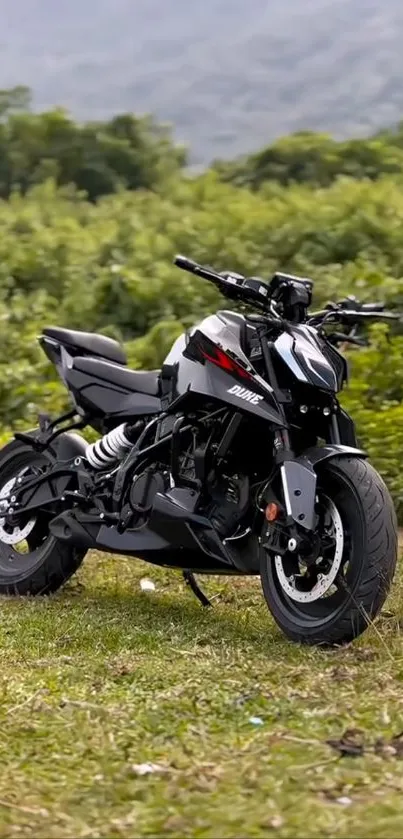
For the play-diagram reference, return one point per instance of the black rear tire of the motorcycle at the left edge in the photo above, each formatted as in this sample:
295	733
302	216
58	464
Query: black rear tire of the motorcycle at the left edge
48	563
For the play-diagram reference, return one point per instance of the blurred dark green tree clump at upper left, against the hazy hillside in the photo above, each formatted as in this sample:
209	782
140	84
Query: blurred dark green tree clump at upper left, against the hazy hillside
98	157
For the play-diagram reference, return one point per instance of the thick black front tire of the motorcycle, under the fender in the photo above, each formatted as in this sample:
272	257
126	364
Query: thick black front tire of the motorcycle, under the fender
365	573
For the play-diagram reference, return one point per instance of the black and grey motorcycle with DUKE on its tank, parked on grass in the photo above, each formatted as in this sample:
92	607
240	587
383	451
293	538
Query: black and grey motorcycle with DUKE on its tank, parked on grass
234	458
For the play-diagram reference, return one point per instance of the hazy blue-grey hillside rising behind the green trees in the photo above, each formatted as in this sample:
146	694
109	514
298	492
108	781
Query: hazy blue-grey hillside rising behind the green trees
230	75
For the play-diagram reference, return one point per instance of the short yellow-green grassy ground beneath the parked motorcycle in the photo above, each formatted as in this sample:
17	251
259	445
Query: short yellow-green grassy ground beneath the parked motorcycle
235	720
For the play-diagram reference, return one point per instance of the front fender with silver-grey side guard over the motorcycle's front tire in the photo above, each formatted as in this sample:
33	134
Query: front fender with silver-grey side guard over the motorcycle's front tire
299	478
